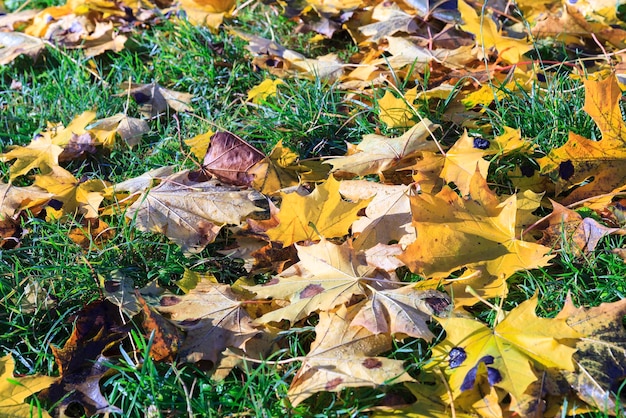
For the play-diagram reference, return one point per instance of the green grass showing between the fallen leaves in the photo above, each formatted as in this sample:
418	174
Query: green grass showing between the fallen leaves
309	116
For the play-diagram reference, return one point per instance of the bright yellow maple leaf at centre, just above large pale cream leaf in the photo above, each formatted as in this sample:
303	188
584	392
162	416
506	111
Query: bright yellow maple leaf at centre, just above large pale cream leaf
323	212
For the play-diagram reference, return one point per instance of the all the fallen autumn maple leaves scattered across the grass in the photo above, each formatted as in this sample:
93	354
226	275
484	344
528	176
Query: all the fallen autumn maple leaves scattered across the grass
336	237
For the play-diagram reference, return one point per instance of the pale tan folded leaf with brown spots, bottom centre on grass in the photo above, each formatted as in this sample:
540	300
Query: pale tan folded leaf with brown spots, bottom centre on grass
344	356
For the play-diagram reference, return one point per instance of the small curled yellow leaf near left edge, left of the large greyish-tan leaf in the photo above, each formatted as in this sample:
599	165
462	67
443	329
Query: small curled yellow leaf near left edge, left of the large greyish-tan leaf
75	195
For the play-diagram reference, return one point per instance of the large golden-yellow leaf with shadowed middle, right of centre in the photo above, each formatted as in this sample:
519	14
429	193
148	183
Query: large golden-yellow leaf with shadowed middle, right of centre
453	232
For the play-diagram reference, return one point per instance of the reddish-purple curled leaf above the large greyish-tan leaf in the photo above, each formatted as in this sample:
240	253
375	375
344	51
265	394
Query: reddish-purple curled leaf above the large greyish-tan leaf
229	158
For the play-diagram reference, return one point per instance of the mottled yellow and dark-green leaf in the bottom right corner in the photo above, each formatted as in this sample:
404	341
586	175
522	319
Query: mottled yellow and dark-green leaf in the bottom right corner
600	355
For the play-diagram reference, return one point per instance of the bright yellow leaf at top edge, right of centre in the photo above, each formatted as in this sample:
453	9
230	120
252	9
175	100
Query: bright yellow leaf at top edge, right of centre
488	36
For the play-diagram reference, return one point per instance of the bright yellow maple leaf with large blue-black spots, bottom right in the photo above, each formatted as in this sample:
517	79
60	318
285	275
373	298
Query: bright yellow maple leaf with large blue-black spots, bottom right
512	351
